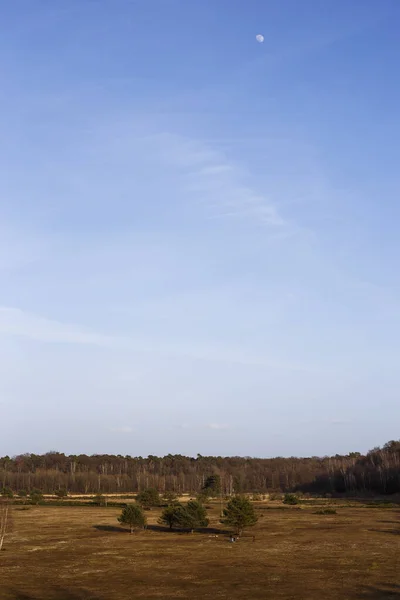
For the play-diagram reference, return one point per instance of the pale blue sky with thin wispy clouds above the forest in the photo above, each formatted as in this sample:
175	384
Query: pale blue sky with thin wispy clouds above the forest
199	232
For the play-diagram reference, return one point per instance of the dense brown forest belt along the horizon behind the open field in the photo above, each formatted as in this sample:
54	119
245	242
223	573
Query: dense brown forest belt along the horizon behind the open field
377	472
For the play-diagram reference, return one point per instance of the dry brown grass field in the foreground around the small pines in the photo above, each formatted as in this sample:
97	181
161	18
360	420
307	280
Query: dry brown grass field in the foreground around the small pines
76	553
